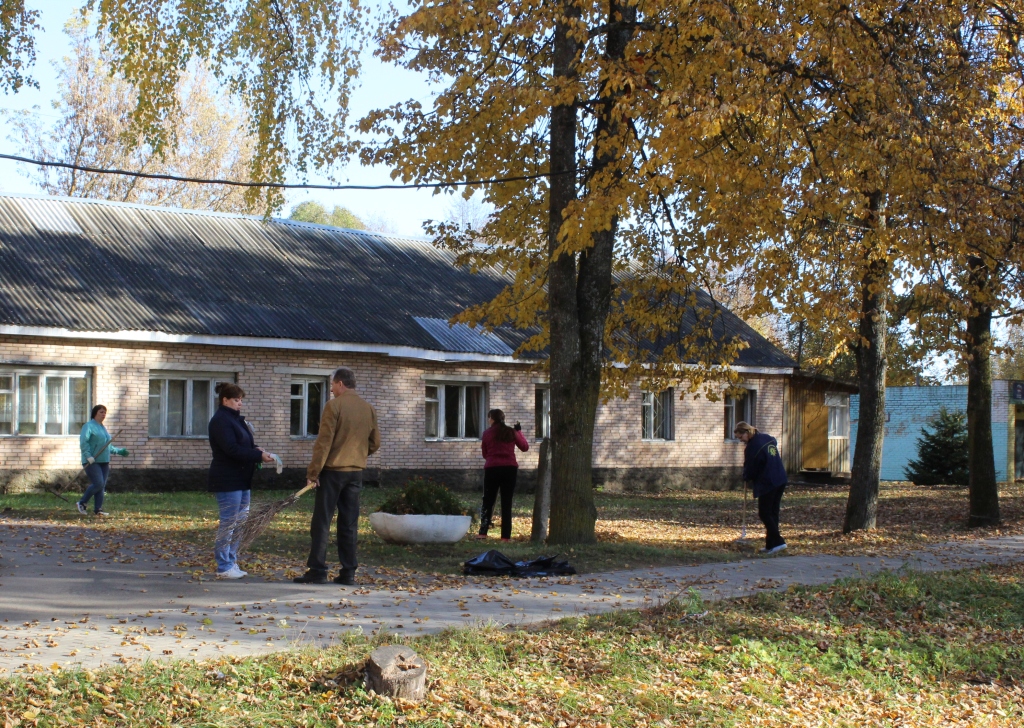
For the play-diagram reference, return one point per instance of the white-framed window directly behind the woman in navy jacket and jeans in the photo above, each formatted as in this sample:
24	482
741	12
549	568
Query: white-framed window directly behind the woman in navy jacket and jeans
182	407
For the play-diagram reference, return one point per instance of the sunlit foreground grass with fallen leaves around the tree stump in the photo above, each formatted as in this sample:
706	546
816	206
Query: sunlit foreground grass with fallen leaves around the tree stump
895	651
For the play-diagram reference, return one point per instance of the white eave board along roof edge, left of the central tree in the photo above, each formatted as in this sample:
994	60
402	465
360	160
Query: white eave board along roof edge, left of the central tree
411	353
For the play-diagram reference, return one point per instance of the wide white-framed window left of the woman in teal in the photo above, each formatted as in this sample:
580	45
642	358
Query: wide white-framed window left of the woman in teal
44	403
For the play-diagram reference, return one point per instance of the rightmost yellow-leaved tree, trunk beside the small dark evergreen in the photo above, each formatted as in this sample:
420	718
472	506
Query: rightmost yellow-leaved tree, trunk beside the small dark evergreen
973	209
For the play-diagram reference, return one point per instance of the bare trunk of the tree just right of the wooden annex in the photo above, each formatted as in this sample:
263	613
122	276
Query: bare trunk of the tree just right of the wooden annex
862	507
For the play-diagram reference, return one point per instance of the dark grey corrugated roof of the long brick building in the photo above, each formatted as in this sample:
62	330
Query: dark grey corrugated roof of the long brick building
101	267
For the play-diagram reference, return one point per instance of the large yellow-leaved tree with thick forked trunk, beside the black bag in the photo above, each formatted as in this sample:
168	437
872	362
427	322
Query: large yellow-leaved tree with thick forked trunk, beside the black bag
611	123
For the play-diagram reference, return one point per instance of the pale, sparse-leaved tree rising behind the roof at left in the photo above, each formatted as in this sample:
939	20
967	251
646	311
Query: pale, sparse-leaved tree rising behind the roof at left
95	130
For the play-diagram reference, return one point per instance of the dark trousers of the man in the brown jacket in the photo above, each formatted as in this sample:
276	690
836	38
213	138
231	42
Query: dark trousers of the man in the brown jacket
338	491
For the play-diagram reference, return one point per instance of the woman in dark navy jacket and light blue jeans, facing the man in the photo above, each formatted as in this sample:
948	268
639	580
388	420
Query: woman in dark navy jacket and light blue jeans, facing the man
235	459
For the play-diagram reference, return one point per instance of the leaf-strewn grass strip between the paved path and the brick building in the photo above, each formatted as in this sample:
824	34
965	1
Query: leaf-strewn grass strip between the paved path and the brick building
634	531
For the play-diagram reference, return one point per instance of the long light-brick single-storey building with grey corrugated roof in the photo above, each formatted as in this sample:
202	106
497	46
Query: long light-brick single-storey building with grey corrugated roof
145	310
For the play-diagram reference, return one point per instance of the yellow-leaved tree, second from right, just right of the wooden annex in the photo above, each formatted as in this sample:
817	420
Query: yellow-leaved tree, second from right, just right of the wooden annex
871	110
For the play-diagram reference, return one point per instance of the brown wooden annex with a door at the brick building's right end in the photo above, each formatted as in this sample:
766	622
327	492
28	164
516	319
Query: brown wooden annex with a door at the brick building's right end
817	425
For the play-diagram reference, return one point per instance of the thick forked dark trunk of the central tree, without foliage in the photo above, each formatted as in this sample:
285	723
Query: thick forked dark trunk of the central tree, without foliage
579	298
